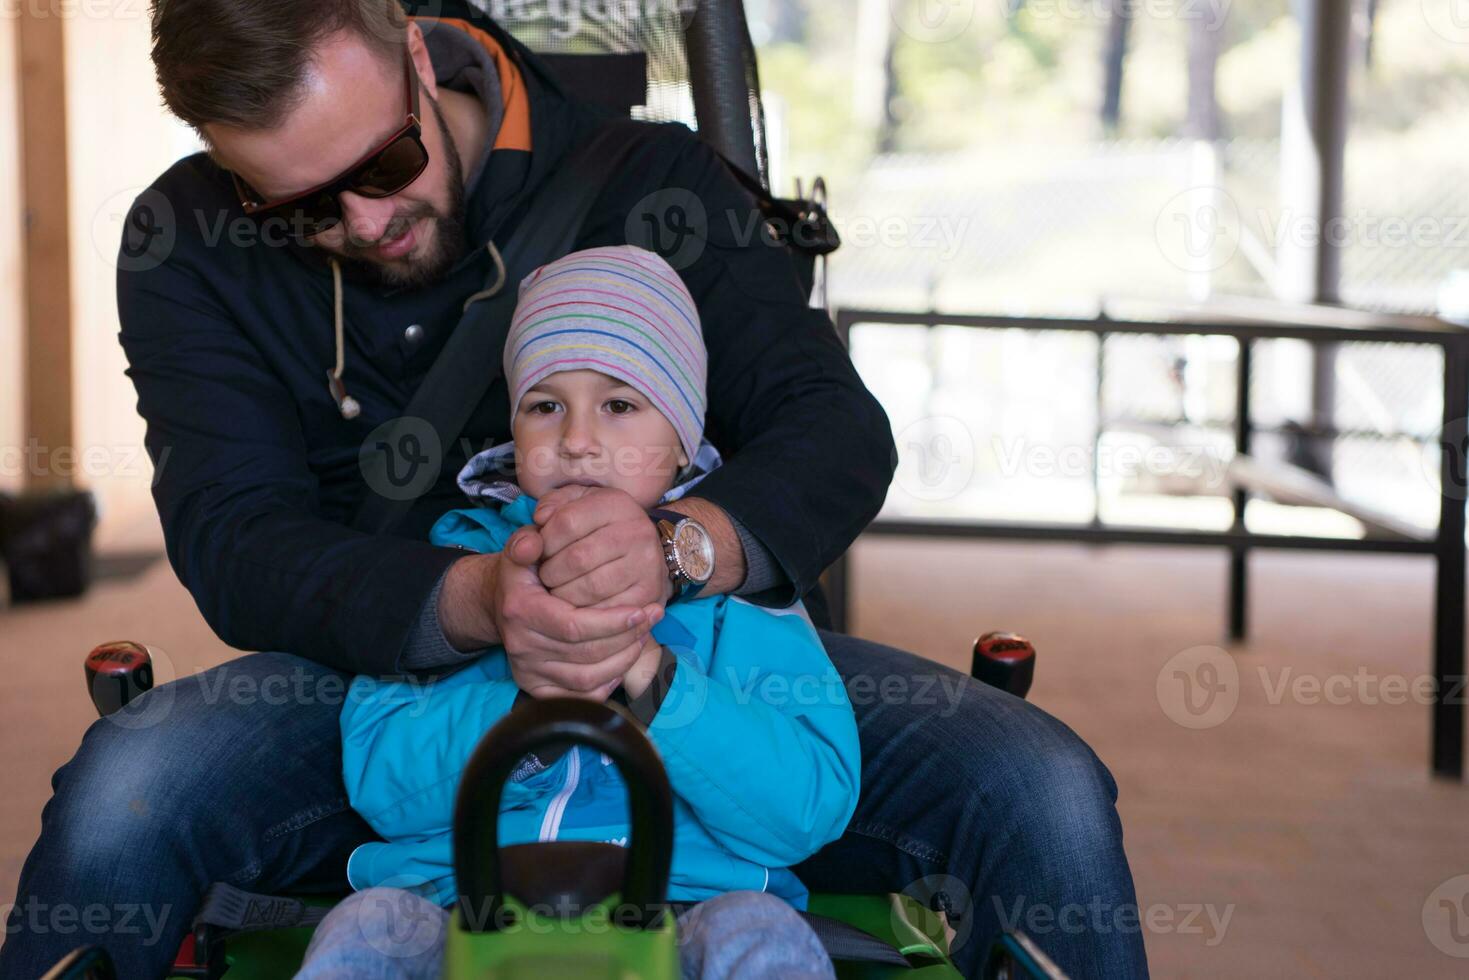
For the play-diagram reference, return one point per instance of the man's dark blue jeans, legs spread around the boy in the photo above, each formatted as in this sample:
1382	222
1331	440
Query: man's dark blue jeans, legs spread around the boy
972	799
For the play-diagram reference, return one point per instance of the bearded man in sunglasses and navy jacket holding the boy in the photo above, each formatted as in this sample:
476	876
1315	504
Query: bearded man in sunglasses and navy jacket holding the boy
265	367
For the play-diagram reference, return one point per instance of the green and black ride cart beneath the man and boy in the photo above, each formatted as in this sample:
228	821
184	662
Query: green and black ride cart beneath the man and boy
563	909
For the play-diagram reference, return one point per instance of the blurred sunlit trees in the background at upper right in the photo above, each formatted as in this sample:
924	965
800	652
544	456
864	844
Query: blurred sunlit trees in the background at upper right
862	80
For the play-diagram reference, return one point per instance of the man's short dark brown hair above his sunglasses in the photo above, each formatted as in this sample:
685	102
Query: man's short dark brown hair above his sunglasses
245	62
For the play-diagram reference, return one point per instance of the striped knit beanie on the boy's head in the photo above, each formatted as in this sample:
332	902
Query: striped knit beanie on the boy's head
622	312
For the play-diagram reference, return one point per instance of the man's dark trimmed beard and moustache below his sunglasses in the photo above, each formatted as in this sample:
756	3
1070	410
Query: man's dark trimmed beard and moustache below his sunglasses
449	240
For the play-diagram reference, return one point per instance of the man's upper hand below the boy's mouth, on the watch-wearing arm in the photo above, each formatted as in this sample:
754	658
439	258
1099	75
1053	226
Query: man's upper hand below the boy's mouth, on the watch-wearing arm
602	550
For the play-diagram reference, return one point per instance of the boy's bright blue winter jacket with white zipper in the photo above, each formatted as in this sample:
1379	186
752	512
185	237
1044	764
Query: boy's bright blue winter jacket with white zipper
756	731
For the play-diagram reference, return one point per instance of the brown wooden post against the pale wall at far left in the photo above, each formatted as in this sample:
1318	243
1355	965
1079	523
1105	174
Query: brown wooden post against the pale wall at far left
45	251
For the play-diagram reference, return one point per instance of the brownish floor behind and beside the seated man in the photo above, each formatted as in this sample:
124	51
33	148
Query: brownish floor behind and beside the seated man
1305	815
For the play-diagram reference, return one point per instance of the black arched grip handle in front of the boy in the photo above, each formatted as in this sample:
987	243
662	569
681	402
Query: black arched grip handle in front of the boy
535	725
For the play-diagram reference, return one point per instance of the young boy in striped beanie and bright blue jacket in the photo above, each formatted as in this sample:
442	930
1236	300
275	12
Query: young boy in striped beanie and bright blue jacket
606	367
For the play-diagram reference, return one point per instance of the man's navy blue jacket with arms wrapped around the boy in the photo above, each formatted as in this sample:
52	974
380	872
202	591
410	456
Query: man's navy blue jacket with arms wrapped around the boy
230	343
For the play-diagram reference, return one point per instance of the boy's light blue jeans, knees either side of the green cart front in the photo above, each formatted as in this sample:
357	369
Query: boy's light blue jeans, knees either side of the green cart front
386	934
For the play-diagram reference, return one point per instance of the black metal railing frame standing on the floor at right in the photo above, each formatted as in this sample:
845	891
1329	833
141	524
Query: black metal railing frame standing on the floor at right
1446	547
